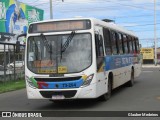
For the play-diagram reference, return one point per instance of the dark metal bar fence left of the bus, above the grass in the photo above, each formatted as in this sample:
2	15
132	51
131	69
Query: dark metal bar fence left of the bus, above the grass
11	63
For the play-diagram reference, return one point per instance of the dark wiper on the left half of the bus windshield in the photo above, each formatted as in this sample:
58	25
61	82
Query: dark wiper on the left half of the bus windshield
46	43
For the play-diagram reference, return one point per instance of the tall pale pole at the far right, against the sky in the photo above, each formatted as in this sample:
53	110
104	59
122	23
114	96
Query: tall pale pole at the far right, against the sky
155	36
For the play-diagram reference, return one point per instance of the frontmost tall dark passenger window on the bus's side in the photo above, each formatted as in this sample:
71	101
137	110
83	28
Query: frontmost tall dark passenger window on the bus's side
107	41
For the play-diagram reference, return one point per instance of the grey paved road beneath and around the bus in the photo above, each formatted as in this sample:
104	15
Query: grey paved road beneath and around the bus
143	96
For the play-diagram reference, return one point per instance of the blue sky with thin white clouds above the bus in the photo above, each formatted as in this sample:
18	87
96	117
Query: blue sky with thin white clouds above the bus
135	15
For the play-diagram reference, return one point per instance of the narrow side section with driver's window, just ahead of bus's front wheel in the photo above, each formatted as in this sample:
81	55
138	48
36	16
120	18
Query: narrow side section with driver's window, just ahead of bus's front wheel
100	60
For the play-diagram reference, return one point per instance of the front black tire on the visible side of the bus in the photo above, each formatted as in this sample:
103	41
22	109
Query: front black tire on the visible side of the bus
107	95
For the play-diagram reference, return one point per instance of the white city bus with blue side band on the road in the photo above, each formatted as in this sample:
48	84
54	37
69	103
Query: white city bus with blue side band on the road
79	58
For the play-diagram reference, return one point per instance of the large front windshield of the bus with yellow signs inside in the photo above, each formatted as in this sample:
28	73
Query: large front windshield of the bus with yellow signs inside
64	54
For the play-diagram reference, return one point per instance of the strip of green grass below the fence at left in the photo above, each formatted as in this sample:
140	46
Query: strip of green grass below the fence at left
11	85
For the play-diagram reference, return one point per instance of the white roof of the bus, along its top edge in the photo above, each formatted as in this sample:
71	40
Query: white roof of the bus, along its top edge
109	25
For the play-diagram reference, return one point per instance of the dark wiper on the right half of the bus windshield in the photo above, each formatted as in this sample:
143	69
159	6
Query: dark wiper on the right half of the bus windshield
66	44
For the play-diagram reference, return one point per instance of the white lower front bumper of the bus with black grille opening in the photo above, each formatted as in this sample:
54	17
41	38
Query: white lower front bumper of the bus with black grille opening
76	93
